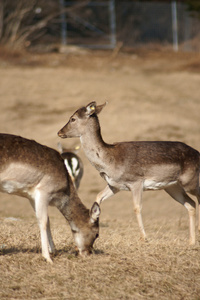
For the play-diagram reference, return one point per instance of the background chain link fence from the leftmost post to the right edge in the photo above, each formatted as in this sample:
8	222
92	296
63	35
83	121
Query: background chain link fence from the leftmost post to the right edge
135	24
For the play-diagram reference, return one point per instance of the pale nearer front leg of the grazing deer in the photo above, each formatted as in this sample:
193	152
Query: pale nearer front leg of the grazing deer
42	217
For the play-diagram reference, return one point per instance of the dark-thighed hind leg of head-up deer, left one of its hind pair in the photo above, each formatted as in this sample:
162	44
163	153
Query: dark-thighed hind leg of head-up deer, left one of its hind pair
178	194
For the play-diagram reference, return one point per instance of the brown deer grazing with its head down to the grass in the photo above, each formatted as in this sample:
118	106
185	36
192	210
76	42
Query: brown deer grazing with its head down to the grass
38	173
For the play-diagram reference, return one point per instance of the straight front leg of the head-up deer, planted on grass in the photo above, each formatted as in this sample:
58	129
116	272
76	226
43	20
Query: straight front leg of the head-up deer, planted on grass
137	202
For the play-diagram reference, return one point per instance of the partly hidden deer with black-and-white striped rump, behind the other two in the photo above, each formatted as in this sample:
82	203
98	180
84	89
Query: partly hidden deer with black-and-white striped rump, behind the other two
73	164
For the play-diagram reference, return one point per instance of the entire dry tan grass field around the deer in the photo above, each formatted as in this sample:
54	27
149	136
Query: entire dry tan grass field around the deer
151	96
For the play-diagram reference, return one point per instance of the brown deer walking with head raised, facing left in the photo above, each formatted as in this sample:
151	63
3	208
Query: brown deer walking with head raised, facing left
138	166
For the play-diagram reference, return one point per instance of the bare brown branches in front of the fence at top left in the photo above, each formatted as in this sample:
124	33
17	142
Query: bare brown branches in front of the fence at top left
23	22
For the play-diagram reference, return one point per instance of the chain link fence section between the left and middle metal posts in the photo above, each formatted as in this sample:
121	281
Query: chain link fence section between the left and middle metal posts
96	20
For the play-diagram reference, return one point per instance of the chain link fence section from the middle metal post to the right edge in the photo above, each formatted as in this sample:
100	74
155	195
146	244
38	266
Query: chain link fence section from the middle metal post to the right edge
152	23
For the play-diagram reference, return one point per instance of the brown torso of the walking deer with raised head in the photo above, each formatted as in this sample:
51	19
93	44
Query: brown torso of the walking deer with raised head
156	165
